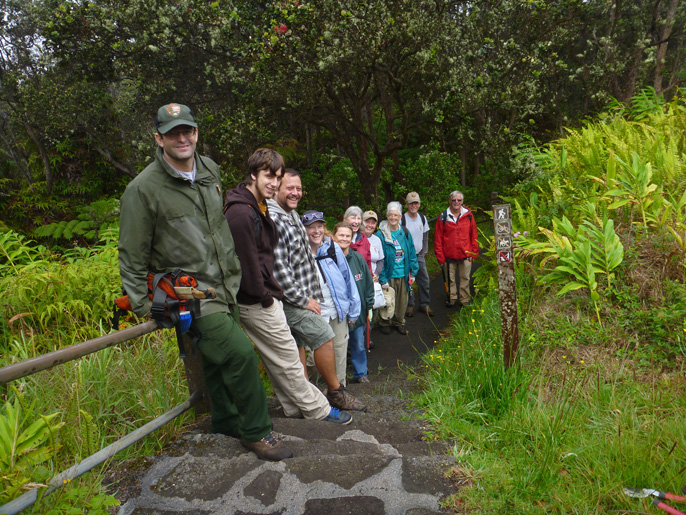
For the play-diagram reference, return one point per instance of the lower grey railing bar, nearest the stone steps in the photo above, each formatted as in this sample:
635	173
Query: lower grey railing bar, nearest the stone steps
29	498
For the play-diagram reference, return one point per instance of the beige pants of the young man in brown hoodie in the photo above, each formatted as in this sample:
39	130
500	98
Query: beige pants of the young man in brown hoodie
268	330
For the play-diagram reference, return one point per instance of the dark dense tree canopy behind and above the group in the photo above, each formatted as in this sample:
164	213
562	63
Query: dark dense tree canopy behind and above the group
374	84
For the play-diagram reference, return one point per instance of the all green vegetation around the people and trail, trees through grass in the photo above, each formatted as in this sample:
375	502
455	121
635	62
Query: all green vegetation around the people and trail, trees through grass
572	110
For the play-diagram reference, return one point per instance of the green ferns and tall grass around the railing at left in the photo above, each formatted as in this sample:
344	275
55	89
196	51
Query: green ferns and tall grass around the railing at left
50	302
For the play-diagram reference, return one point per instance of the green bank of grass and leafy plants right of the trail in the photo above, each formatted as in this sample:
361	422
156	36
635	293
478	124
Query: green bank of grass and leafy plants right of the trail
589	409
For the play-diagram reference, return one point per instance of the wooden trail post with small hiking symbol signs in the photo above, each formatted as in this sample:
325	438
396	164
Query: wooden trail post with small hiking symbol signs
502	223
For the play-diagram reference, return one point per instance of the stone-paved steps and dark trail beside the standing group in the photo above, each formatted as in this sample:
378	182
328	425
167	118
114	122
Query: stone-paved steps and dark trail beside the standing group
376	465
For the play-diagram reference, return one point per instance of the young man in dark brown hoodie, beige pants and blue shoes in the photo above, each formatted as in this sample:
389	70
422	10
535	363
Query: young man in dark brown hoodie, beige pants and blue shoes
260	295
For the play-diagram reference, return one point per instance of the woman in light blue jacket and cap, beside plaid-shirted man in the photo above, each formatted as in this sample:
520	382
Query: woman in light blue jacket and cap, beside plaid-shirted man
341	306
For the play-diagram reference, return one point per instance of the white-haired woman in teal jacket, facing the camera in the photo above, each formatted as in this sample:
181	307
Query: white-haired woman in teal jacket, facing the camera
400	265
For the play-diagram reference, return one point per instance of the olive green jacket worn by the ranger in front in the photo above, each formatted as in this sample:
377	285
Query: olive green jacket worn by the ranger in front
167	222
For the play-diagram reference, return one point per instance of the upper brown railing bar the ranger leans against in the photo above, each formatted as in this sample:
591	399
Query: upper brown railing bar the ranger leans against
33	365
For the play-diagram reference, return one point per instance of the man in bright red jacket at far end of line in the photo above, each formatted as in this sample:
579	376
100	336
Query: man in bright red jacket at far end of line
456	244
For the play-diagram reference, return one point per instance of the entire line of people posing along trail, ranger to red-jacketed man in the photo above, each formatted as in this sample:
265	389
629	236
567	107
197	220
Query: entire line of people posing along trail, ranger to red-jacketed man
299	294
